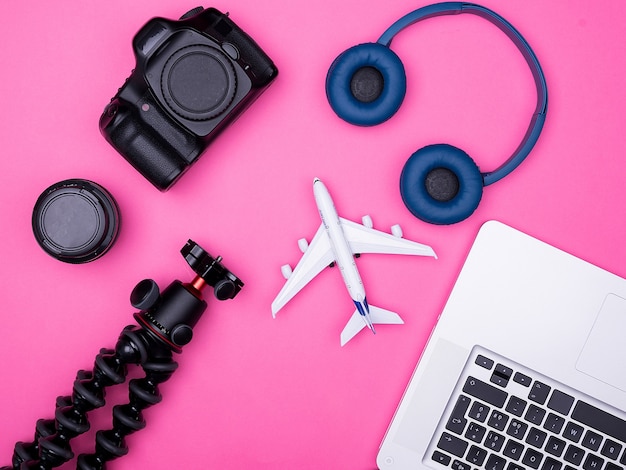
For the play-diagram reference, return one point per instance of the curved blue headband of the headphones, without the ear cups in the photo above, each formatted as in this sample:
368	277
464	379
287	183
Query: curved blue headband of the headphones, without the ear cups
538	118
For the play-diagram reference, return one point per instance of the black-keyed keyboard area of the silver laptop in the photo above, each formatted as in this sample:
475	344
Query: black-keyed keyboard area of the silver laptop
506	417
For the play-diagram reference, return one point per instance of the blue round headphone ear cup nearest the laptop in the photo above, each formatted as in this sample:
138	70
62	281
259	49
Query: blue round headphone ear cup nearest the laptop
441	184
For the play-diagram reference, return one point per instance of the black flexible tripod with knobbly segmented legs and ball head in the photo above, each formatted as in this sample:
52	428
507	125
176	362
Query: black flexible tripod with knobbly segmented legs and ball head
165	324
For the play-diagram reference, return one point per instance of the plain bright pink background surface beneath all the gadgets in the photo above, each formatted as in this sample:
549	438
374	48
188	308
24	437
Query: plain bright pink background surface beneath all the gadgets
252	392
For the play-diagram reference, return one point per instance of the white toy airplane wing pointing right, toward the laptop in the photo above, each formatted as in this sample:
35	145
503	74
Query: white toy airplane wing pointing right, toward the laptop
368	240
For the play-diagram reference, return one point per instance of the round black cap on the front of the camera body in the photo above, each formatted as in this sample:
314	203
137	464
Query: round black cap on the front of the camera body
198	82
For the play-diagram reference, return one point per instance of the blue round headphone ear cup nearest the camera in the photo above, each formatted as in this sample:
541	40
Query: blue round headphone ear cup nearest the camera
388	88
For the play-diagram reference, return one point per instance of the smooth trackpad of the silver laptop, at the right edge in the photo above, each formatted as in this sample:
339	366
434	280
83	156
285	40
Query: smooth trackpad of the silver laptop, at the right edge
604	353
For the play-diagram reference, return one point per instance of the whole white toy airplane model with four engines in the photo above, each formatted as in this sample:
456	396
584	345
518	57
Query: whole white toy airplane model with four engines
338	241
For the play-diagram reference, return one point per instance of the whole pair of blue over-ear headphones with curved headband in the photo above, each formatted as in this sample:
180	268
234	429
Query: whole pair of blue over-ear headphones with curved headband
439	184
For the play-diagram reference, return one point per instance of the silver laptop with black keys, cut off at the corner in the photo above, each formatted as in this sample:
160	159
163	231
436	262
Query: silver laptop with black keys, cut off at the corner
525	369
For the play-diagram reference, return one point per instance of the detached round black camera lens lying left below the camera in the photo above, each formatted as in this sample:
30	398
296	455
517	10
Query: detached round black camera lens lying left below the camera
76	221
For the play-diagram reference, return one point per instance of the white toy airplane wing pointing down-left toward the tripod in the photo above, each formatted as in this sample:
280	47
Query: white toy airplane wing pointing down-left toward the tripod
317	256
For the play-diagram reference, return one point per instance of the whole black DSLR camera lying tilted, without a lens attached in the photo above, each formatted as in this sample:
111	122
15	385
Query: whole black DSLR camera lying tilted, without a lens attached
193	77
